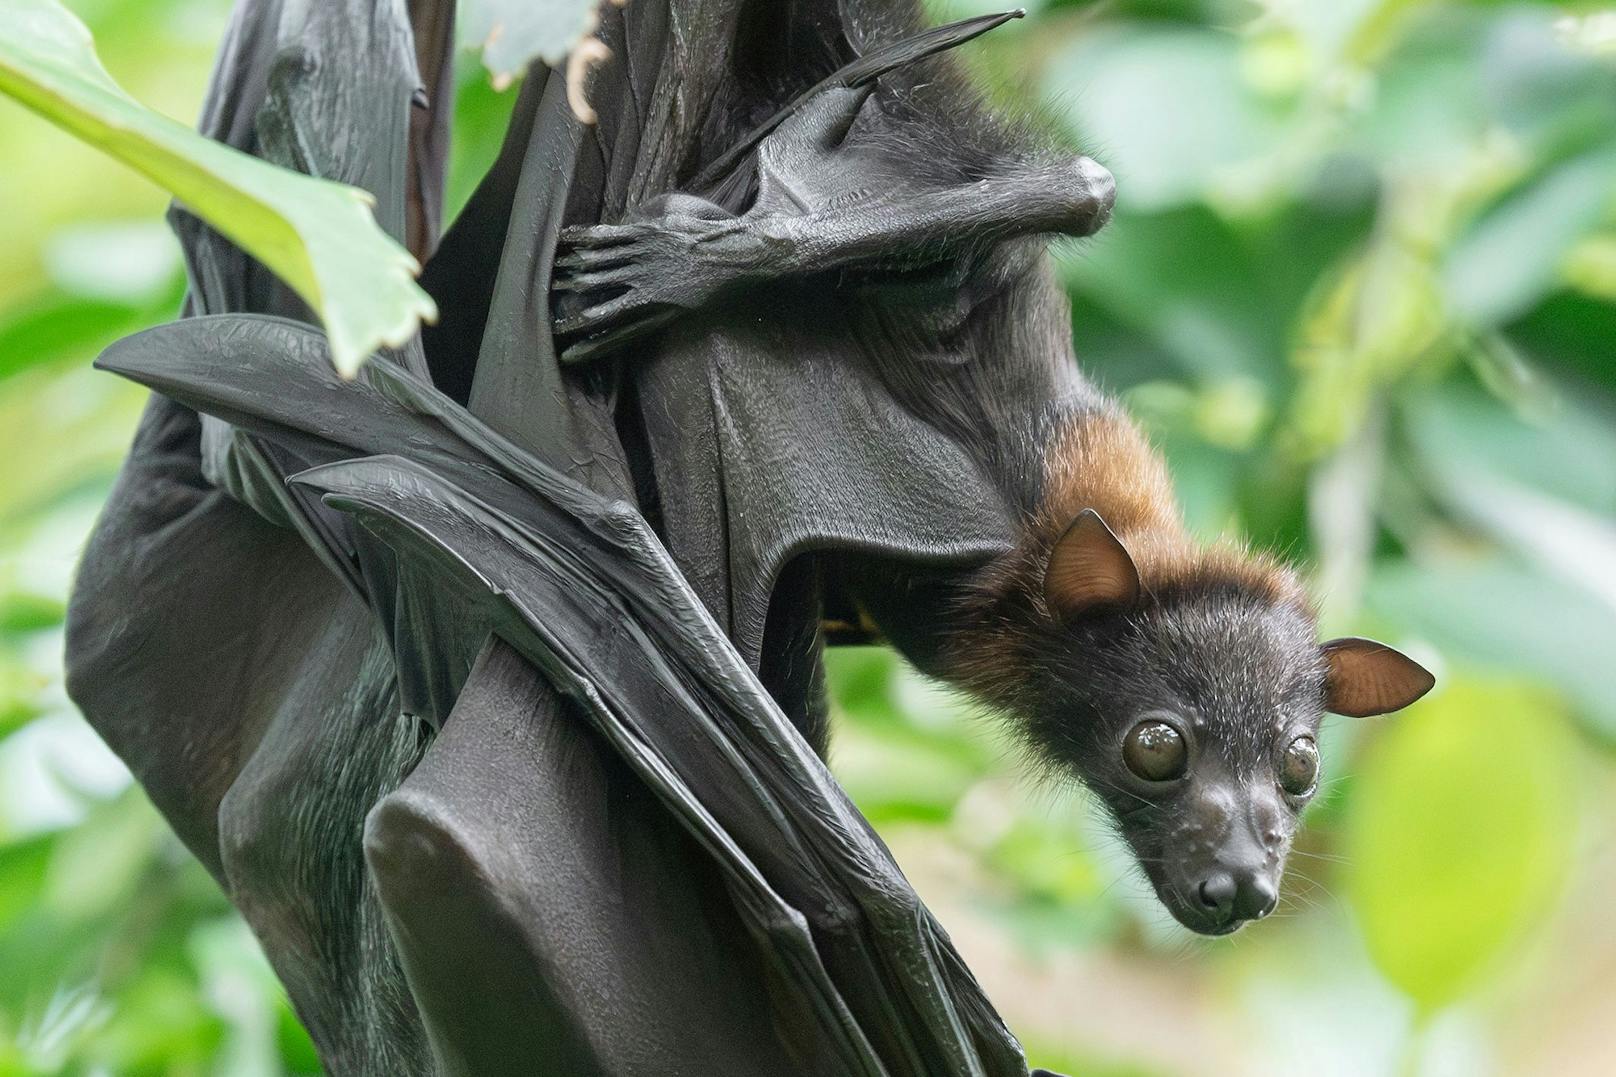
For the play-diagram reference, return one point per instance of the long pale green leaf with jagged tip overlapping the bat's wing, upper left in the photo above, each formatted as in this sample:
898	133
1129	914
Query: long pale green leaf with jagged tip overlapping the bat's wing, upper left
316	235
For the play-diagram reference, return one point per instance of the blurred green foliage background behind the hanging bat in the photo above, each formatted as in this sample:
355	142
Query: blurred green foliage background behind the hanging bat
1361	287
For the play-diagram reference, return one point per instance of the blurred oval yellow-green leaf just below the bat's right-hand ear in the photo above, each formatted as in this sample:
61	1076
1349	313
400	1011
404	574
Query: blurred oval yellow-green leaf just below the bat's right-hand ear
1460	834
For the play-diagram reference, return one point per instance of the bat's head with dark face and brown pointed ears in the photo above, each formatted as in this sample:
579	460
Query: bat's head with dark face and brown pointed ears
1193	712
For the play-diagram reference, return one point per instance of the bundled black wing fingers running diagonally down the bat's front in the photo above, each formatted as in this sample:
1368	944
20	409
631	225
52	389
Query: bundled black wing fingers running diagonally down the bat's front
581	588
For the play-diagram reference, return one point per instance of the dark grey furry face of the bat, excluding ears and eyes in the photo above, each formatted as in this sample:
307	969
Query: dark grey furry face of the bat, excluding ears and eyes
1239	680
